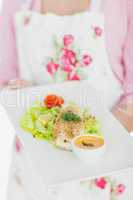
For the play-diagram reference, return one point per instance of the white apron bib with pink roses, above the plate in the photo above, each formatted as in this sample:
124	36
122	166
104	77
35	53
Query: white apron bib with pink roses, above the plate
55	48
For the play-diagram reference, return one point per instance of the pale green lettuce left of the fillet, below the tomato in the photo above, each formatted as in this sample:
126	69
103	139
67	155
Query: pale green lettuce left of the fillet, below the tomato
39	121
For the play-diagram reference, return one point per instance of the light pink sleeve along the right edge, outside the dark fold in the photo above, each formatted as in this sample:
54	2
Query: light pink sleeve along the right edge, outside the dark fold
128	56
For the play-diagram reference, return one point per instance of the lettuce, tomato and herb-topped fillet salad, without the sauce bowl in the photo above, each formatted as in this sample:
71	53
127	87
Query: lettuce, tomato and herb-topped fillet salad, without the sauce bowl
57	122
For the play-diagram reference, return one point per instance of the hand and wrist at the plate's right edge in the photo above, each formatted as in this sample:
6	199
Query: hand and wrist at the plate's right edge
124	114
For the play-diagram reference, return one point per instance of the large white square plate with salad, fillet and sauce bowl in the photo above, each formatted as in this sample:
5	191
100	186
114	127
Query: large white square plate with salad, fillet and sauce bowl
63	126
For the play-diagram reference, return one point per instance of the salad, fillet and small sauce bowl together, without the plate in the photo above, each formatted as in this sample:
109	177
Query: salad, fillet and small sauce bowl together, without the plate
66	126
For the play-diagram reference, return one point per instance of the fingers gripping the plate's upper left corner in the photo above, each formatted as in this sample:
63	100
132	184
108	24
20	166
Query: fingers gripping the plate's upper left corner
18	84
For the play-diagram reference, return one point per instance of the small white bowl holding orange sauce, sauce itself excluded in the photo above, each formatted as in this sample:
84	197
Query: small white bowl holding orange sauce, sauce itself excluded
88	155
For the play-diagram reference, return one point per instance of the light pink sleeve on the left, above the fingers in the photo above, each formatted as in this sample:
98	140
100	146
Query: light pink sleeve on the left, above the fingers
8	54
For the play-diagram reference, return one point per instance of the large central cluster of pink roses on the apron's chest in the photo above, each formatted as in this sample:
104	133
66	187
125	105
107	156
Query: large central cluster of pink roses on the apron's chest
68	62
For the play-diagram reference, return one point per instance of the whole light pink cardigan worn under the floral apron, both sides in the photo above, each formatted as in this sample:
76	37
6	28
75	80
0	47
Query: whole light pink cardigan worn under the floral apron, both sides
119	40
